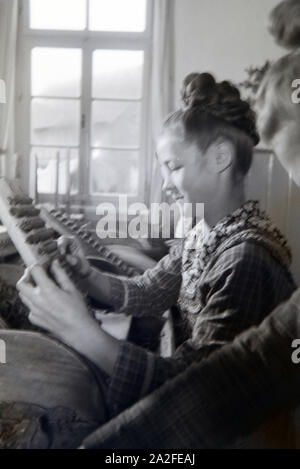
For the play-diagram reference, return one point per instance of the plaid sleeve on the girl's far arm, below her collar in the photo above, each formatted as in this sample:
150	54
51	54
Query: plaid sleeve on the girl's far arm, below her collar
154	291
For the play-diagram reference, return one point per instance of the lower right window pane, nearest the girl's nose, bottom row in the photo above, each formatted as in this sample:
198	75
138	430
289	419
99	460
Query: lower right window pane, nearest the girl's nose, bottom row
114	172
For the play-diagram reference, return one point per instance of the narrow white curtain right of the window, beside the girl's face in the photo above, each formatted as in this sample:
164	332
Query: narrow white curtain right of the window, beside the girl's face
162	84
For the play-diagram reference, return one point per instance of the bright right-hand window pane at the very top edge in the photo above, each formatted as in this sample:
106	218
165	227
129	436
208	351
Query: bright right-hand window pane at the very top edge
117	15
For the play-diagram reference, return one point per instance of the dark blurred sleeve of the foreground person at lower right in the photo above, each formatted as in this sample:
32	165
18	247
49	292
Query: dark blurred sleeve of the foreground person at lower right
219	400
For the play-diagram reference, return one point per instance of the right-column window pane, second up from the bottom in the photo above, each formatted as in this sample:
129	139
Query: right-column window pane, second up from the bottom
115	124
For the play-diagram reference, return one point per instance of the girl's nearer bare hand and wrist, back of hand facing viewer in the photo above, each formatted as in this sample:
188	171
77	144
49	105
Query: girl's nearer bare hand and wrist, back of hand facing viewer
60	309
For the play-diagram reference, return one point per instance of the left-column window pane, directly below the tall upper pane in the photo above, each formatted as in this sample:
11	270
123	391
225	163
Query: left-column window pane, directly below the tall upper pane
55	122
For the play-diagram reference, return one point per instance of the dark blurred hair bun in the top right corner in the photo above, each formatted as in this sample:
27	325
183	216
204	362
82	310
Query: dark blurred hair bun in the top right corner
285	24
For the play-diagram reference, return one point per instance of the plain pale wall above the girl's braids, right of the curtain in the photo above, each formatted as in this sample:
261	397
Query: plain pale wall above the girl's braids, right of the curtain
222	36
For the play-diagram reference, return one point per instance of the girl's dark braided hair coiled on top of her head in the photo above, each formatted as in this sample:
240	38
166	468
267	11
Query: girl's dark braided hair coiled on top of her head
201	93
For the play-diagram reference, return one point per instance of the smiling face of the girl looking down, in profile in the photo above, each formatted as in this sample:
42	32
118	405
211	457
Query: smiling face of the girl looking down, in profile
186	171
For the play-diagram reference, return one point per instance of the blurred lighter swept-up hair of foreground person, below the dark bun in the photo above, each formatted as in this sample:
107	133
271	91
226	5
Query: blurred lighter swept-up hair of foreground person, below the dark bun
275	94
